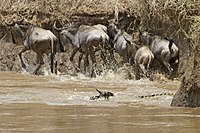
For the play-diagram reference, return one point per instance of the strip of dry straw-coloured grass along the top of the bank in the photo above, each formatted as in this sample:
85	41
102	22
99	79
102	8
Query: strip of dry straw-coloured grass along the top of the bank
167	12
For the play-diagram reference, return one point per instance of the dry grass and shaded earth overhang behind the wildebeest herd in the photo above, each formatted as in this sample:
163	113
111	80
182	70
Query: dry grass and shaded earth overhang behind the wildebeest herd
164	17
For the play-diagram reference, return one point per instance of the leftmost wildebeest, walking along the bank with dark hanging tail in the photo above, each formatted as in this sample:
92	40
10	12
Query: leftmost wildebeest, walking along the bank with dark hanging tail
38	40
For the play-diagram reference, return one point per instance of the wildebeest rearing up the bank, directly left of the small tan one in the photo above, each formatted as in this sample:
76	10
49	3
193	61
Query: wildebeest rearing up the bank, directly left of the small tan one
122	43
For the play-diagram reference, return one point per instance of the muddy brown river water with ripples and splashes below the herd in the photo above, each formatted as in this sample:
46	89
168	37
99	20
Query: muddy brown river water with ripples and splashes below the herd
61	104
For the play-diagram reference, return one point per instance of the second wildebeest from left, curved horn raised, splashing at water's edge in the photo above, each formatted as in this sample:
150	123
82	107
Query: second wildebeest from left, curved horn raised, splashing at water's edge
86	39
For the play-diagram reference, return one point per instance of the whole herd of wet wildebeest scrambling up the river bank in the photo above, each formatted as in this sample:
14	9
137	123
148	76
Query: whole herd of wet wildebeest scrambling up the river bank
88	39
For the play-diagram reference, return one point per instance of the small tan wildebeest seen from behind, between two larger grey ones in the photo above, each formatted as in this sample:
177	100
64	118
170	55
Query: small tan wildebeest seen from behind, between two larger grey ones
143	58
